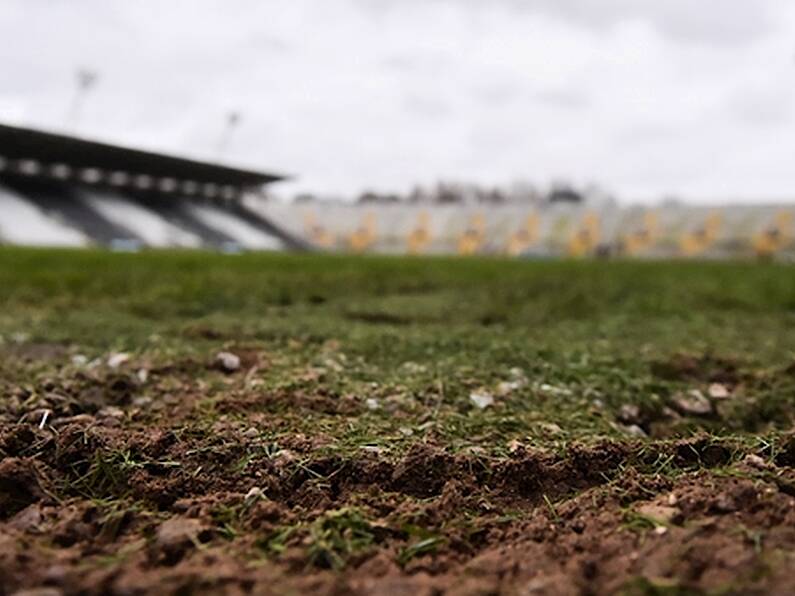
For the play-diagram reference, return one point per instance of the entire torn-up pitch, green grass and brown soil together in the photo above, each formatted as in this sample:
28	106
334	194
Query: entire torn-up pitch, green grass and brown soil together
388	423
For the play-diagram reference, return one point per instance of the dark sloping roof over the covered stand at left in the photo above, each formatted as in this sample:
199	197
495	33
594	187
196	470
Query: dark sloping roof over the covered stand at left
25	145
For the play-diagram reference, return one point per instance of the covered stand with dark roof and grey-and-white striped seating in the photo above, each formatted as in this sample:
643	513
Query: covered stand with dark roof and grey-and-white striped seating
57	189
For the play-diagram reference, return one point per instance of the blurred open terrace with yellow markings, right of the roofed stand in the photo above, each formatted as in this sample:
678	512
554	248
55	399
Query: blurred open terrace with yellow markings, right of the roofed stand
554	230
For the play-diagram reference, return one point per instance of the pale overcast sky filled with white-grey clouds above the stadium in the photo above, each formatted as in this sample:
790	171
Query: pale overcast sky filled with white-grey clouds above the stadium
645	97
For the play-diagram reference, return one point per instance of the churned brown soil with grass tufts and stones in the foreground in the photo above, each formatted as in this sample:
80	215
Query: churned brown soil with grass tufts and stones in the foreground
108	499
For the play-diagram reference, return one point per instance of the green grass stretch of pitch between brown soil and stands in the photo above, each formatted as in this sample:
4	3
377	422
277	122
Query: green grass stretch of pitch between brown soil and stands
418	335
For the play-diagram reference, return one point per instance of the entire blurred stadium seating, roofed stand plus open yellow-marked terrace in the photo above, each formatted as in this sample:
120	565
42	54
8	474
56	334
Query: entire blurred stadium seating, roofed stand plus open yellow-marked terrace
62	190
